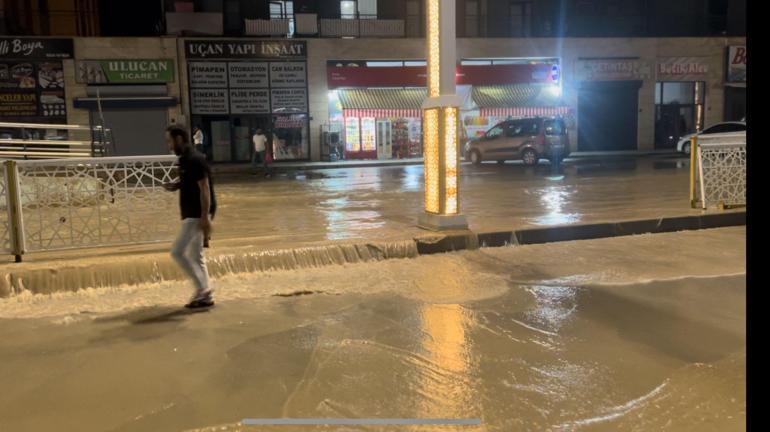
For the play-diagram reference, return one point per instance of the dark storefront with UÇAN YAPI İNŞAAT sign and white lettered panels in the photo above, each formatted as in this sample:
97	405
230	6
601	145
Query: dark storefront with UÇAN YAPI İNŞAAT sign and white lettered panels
237	86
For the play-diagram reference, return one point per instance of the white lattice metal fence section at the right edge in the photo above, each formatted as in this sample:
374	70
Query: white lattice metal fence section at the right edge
721	169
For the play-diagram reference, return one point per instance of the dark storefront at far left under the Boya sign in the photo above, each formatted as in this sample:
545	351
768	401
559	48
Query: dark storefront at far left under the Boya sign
32	86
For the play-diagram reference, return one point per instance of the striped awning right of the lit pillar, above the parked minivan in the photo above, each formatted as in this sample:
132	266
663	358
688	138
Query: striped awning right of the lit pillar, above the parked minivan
517	100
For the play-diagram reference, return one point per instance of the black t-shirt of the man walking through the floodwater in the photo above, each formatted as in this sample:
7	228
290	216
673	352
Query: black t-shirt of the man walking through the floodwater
193	168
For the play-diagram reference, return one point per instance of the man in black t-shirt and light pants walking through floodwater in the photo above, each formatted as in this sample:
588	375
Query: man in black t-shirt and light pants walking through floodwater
198	205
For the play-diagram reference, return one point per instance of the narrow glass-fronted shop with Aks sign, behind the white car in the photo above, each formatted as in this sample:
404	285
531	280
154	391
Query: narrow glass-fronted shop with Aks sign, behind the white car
680	98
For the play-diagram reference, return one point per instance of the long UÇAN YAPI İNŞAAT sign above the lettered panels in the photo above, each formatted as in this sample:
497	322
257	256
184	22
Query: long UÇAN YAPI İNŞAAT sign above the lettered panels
245	49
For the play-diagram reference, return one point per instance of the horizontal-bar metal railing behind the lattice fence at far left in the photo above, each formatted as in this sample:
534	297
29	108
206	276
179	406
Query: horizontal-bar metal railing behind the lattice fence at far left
48	141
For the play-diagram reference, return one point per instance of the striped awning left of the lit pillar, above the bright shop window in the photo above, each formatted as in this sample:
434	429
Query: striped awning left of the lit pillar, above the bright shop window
382	102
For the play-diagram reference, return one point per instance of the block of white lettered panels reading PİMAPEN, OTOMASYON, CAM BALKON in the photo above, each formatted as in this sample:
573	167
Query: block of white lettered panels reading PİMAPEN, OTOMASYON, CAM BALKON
248	87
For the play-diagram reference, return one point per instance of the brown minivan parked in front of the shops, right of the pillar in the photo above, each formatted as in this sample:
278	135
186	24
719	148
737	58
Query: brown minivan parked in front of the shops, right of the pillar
528	140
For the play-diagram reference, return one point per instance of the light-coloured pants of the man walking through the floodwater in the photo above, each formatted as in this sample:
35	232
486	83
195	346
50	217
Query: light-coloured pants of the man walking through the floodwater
188	253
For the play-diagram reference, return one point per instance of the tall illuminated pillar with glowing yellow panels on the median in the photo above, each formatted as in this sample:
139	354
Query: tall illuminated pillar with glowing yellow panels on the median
440	124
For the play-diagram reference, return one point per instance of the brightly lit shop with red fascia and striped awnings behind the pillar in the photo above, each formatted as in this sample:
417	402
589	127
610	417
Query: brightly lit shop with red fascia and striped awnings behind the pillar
376	104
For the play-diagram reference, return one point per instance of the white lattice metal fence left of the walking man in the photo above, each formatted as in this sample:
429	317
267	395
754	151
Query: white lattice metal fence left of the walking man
73	203
